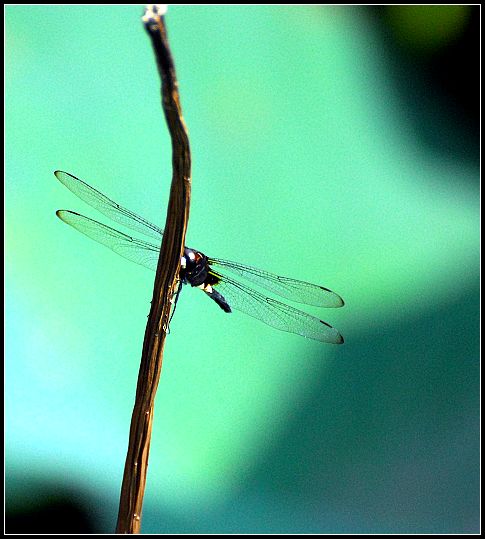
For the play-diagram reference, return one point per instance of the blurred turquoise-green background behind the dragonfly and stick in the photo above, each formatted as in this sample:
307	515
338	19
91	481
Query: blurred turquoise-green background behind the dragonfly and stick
324	148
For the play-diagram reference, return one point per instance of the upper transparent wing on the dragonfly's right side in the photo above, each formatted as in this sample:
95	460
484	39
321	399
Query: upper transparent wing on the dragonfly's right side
292	289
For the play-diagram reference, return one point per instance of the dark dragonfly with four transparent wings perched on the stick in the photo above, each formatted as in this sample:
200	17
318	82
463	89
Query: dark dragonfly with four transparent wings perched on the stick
222	280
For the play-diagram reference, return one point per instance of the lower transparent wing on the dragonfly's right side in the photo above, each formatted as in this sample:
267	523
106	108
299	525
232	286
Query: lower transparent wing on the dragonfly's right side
274	313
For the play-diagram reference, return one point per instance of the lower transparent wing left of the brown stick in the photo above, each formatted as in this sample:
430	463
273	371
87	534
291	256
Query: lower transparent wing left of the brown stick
138	251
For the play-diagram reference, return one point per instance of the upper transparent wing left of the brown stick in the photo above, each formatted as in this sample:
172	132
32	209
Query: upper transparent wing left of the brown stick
108	207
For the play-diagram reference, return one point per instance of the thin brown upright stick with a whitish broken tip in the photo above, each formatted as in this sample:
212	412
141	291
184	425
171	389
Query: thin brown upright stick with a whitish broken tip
134	477
